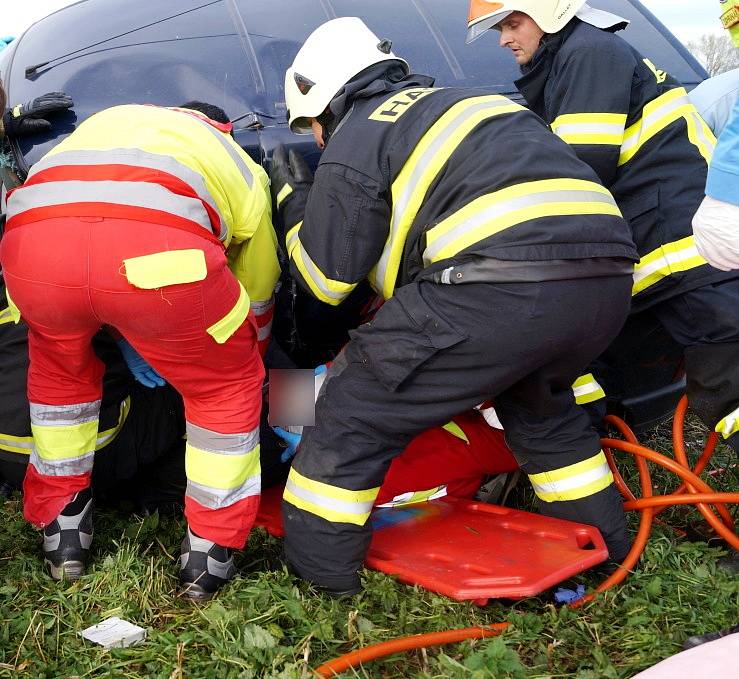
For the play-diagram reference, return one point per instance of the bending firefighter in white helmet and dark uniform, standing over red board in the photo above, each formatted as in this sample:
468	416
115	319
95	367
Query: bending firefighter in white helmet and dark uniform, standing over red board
505	273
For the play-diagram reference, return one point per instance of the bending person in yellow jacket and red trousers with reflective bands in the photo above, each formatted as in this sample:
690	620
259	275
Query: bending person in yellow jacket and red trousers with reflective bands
125	225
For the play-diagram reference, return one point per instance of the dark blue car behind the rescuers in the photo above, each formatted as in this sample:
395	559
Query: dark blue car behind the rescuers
234	53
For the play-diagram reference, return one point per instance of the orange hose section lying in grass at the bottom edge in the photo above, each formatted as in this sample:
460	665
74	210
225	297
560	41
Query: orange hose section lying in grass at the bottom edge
374	651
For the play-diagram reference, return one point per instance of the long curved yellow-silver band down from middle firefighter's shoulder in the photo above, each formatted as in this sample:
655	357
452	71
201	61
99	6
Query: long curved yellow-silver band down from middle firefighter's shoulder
421	169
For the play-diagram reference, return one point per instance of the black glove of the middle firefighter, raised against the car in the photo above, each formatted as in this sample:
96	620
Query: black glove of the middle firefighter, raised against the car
290	182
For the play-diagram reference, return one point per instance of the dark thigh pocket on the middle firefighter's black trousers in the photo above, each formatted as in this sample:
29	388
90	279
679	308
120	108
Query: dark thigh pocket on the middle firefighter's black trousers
405	333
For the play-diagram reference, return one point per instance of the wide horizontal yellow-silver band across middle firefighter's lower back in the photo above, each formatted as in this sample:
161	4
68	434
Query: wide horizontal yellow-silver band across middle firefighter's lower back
494	212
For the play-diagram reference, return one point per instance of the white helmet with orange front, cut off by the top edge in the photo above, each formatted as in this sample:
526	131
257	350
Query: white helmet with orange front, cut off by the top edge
550	15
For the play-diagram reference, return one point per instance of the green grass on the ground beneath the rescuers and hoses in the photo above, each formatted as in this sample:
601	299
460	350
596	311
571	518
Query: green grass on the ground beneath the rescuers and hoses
266	624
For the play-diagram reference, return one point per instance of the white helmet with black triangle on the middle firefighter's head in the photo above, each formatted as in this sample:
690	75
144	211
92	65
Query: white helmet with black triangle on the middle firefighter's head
330	57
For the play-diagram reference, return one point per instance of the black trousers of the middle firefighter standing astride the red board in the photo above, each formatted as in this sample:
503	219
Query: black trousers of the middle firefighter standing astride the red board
432	352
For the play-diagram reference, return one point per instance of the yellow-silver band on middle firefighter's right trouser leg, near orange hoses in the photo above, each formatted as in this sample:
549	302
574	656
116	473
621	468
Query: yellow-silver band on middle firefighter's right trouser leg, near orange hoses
574	481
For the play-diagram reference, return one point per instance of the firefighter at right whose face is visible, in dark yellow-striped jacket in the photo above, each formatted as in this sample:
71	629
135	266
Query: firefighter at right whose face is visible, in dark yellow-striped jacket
635	126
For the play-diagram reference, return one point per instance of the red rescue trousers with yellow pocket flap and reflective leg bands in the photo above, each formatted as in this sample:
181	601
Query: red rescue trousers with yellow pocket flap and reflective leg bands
68	278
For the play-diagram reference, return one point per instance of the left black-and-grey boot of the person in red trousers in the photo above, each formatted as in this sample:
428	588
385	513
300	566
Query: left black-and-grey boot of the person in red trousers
67	539
